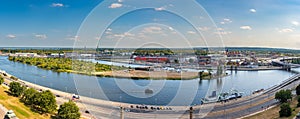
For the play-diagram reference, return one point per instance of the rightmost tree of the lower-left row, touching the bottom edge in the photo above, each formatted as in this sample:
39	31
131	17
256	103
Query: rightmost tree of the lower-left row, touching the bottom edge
68	110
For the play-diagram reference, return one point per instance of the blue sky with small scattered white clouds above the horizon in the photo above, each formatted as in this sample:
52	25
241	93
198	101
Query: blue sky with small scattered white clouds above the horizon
144	23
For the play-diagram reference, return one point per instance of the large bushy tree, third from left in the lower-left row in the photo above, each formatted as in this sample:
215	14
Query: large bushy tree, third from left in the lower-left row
45	102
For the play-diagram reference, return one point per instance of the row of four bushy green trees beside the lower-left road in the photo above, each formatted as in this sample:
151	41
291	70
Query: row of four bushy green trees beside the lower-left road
44	102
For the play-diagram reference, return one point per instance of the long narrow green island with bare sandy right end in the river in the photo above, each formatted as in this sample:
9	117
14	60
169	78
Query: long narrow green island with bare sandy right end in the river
102	70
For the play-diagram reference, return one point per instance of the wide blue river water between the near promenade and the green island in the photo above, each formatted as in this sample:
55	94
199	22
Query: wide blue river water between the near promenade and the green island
166	92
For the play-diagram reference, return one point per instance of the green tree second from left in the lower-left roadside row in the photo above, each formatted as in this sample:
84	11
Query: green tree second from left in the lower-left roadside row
29	96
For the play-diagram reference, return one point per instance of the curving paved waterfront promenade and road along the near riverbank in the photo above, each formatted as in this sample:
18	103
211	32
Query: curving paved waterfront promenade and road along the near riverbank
232	109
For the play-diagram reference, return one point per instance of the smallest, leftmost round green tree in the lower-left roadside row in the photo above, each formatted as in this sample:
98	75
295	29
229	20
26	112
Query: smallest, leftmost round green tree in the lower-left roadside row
16	89
